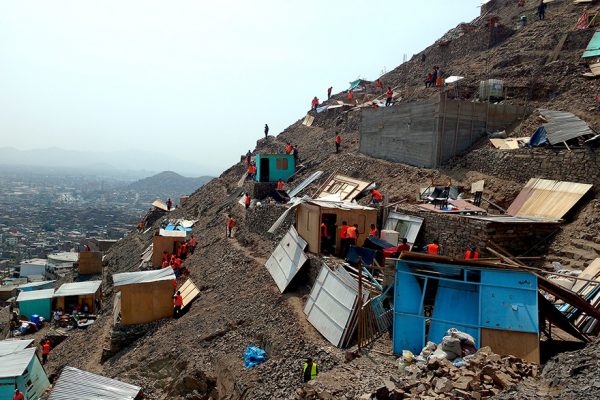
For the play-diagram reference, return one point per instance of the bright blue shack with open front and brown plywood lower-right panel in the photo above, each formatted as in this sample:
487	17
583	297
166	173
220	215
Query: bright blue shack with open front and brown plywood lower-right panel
498	307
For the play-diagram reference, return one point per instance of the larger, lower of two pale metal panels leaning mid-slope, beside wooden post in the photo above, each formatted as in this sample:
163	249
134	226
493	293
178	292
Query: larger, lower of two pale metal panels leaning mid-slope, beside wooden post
330	305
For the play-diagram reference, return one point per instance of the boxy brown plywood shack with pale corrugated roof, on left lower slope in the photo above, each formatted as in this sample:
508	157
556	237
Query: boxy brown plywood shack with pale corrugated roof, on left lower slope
145	296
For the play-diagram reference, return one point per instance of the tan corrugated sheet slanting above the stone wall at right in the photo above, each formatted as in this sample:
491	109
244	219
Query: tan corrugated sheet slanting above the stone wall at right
547	198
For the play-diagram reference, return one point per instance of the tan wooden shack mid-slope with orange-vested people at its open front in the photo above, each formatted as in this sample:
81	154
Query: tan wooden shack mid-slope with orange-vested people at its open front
310	215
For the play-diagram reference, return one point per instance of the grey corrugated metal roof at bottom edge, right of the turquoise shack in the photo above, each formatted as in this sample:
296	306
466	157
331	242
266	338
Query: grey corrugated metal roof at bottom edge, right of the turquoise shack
81	385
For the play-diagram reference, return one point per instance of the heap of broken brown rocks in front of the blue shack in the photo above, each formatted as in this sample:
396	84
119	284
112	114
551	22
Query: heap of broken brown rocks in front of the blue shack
483	375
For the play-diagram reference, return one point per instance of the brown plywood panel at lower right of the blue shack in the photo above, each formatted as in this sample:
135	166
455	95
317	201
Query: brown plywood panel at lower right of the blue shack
519	344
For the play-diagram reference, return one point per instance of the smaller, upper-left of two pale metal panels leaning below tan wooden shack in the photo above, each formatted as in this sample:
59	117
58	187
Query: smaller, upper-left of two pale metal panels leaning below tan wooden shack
287	259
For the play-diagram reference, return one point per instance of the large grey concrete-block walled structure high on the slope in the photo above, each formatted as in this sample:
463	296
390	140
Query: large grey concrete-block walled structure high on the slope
429	133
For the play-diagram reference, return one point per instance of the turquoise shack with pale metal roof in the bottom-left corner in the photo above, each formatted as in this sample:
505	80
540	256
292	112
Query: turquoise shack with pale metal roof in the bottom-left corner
20	368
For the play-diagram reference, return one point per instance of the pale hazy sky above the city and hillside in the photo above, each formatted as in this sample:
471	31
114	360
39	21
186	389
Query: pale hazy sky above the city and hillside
195	79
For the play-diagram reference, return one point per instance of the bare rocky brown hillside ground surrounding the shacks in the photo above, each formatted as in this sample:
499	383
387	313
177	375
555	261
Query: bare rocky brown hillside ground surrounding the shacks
199	356
